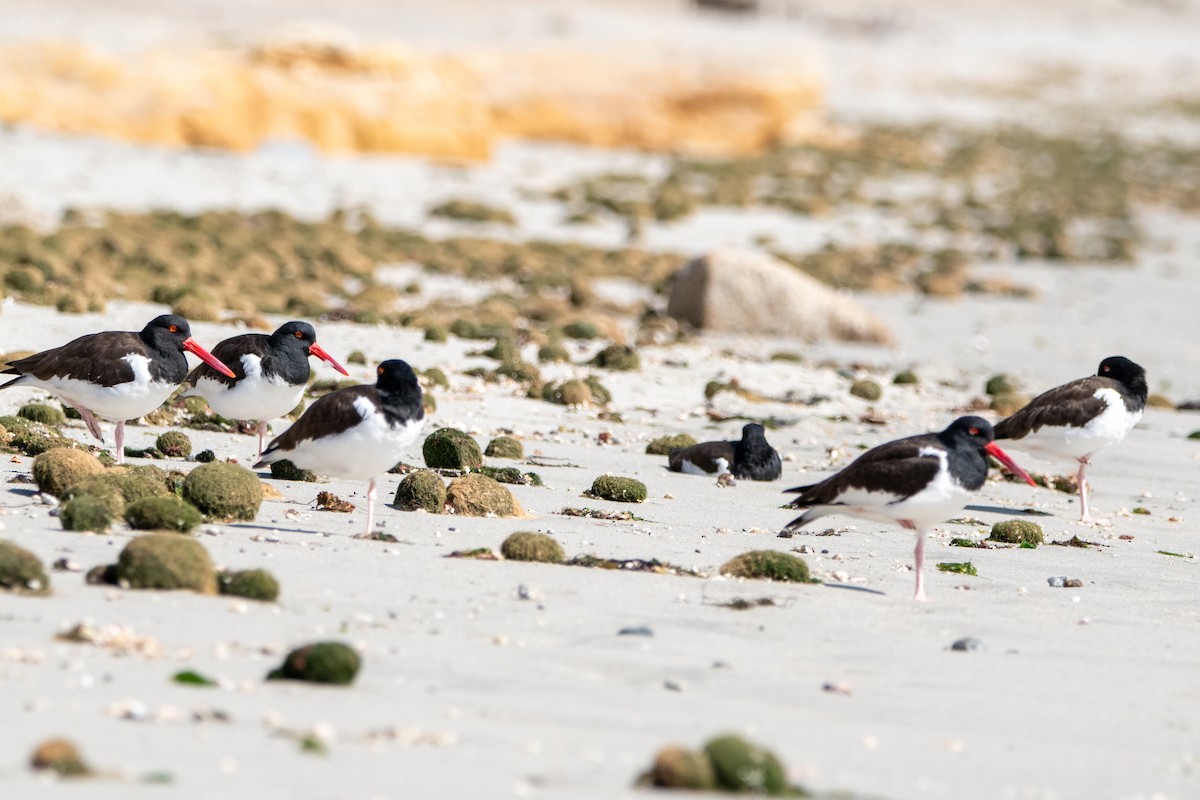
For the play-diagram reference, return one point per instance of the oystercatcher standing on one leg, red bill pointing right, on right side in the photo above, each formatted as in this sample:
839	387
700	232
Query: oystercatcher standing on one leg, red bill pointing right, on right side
916	483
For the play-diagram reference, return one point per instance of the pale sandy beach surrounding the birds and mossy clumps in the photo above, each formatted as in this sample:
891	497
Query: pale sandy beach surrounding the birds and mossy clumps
494	679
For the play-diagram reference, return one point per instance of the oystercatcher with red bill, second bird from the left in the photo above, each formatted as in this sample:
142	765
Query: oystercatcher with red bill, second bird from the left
271	374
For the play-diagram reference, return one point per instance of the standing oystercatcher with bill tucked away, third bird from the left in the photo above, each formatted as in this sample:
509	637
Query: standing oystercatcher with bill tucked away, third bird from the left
358	432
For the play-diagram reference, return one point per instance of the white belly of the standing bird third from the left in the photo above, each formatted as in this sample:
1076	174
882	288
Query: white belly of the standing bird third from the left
364	452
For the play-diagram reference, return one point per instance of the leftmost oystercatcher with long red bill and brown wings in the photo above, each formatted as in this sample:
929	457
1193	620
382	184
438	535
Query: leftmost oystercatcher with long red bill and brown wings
116	376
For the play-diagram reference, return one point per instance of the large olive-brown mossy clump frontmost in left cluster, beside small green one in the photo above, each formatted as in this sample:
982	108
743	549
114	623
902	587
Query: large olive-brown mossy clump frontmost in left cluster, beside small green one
166	562
